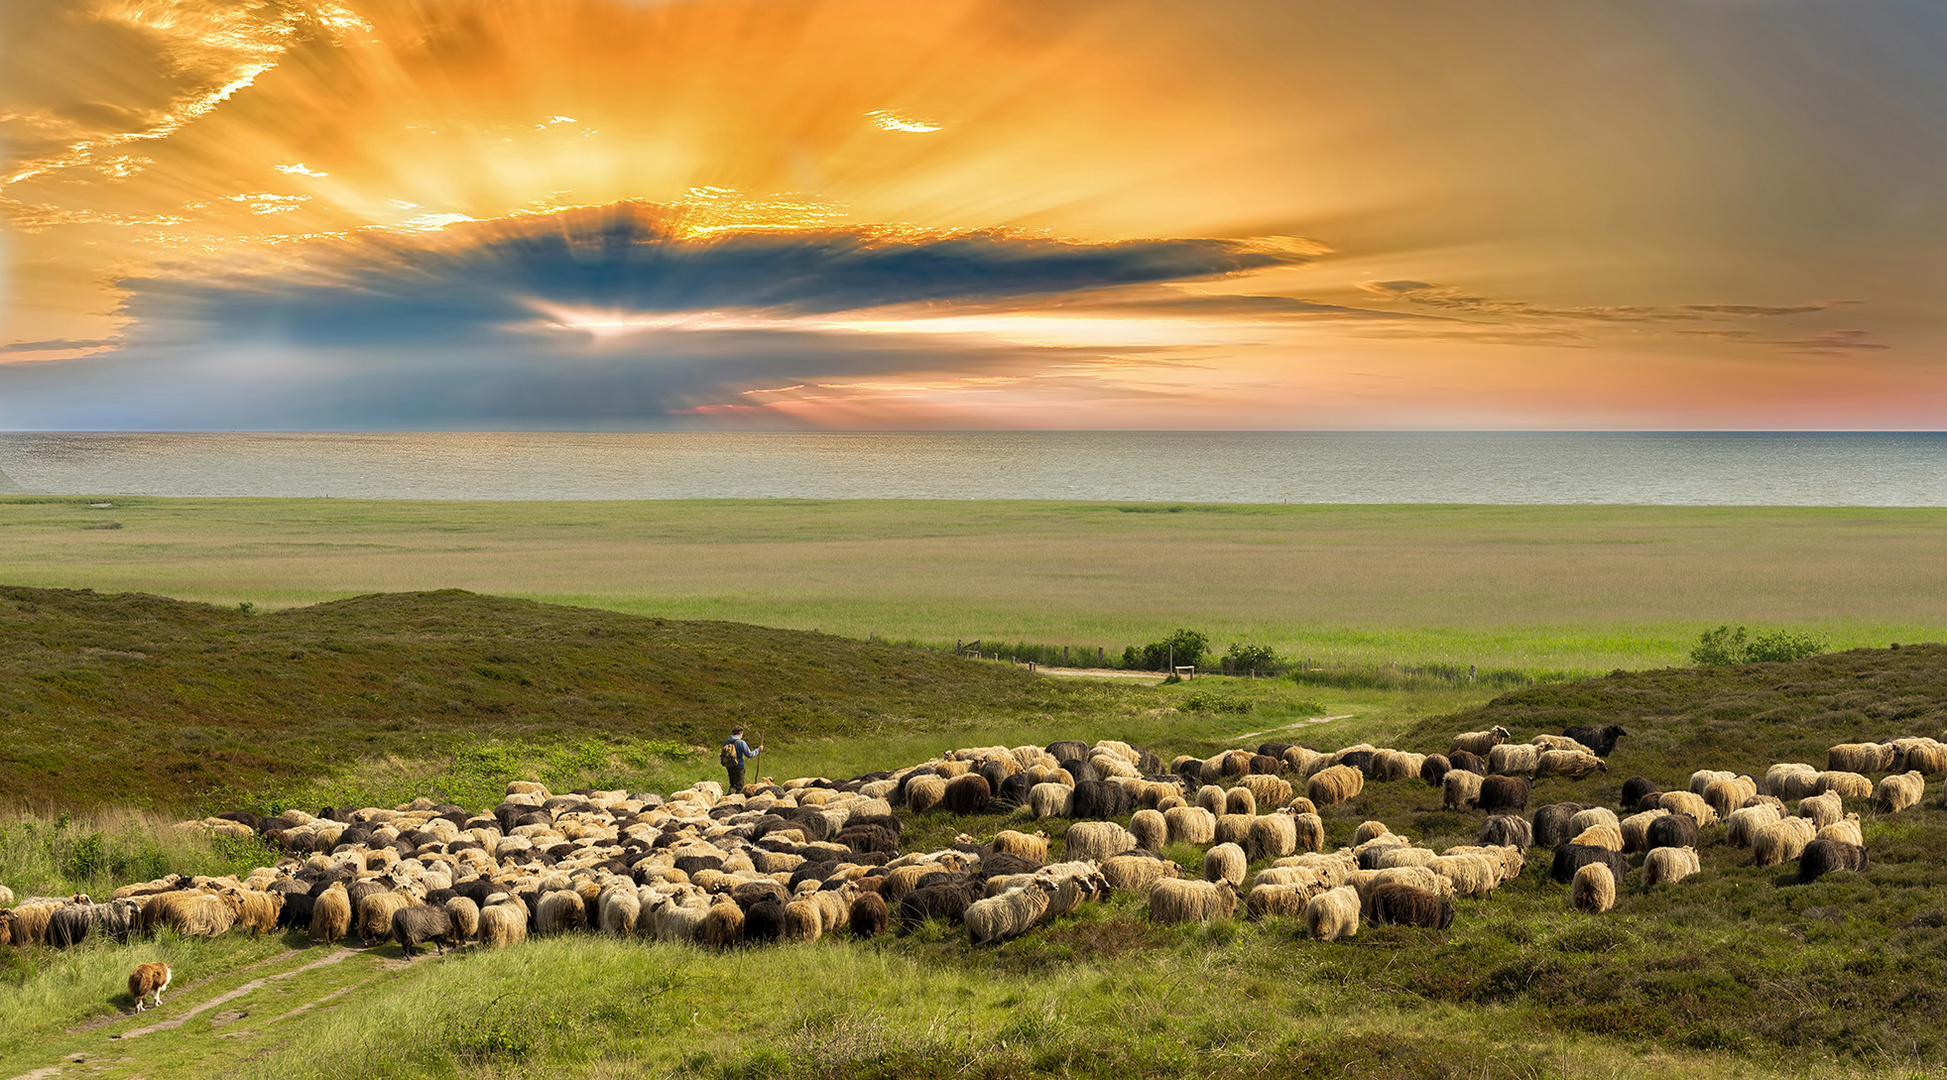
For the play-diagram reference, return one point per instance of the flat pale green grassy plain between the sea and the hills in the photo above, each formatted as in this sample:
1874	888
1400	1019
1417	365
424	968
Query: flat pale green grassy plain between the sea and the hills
1582	589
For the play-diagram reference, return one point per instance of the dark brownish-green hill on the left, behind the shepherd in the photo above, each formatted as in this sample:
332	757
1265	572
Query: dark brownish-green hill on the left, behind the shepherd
159	702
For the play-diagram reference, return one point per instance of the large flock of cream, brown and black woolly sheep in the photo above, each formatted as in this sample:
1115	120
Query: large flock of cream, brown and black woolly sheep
813	857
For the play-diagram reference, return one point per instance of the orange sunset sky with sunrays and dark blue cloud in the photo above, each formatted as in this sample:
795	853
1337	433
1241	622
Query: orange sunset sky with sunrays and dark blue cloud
618	215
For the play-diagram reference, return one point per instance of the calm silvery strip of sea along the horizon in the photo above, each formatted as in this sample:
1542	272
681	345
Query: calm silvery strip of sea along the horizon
1500	468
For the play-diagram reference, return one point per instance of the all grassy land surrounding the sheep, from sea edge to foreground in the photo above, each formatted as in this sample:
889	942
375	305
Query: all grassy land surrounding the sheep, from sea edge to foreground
606	645
